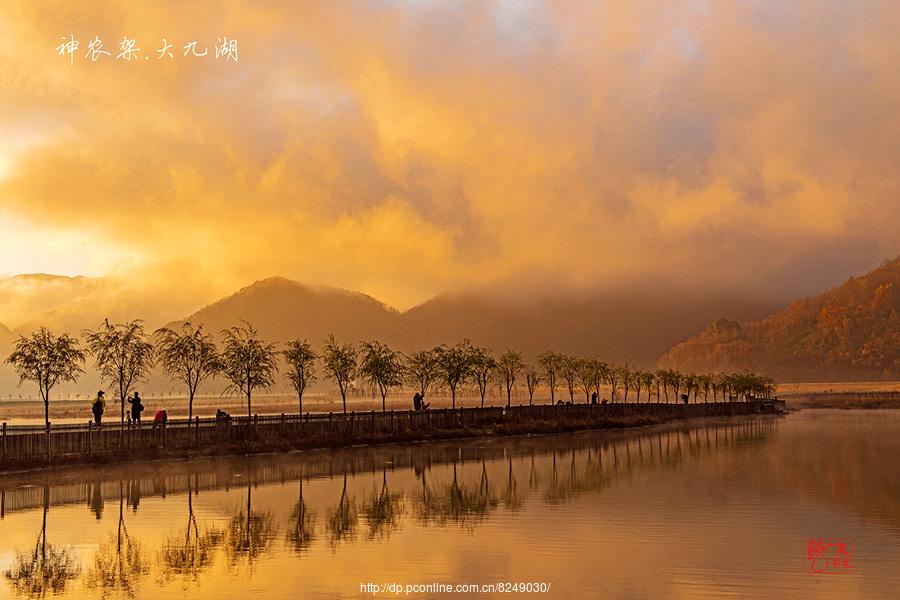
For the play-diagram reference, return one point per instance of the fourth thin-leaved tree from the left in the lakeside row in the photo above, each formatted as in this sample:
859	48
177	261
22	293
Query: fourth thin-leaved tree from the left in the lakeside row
247	362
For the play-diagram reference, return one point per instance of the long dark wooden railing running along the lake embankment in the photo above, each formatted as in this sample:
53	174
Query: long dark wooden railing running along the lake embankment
28	443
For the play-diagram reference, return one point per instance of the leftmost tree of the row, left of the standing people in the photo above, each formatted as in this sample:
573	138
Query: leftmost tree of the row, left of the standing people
47	360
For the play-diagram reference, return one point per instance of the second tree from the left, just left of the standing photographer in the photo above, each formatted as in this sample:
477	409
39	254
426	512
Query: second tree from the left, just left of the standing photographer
122	354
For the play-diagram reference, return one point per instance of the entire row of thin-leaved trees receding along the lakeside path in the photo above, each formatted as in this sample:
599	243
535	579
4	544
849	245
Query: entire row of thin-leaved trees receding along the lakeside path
125	354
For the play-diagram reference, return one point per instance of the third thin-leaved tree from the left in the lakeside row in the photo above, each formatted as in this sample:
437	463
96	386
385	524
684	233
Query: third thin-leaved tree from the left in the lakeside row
189	357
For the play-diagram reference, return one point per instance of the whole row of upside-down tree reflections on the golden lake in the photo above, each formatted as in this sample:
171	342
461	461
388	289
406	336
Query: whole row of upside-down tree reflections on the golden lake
558	469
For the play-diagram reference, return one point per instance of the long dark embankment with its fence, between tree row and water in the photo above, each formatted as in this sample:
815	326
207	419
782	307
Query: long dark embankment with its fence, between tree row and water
25	447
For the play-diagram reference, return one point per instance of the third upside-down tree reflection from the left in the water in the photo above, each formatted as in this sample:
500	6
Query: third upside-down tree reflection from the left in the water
190	554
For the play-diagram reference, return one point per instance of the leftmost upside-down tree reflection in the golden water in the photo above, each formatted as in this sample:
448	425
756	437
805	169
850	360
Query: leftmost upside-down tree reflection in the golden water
45	570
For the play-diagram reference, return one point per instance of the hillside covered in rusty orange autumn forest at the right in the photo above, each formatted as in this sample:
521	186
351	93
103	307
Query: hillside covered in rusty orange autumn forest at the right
849	332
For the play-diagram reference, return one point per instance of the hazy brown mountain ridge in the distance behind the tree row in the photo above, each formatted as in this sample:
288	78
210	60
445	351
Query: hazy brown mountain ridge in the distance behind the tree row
634	325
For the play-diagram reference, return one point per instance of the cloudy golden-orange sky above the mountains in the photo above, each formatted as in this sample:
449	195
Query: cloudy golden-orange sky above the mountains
409	148
